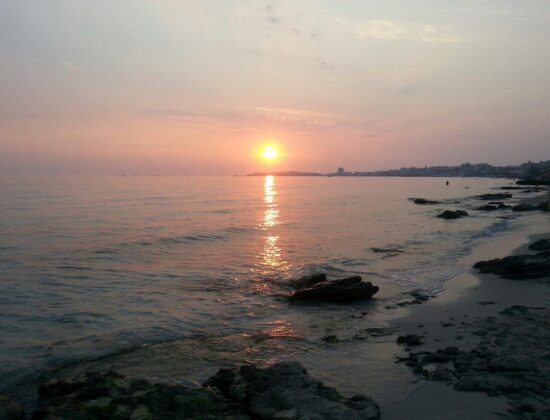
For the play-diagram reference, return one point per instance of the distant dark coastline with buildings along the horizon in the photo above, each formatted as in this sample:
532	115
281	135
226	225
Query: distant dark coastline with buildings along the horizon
530	170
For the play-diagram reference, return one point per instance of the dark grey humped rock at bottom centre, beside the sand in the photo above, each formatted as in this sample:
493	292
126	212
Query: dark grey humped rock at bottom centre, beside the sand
285	391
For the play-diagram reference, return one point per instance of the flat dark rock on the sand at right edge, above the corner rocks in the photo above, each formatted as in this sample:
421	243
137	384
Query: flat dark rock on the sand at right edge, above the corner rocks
517	267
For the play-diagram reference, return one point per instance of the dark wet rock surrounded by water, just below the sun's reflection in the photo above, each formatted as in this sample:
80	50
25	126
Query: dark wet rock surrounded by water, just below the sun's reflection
338	291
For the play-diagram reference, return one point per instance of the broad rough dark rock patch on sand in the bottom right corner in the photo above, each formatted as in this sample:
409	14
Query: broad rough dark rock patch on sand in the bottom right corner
511	359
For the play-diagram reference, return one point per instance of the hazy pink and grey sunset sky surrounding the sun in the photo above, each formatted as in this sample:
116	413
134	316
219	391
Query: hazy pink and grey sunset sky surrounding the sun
189	87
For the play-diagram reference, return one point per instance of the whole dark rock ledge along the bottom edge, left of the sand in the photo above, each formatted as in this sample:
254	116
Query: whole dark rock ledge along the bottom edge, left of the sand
282	391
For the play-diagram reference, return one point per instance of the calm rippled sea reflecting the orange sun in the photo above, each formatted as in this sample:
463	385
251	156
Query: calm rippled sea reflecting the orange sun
172	277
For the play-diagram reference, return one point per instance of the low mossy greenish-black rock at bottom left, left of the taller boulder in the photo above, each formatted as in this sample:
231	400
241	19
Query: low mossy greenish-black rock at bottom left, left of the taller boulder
109	395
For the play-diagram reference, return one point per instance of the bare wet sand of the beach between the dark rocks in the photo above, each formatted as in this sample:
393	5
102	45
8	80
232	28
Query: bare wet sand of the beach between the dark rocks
450	318
